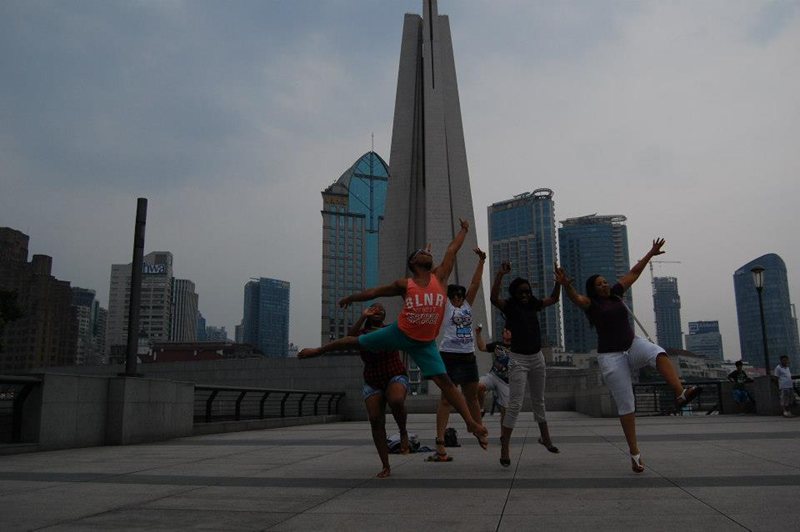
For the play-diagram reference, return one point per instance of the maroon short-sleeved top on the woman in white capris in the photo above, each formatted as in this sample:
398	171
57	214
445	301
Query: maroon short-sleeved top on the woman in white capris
612	321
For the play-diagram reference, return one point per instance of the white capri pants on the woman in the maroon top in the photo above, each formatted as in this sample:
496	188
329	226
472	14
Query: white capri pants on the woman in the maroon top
618	367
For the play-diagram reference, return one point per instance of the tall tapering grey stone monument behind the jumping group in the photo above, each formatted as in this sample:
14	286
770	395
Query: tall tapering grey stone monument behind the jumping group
429	189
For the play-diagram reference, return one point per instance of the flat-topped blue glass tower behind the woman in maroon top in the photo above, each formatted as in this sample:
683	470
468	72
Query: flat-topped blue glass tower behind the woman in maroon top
589	245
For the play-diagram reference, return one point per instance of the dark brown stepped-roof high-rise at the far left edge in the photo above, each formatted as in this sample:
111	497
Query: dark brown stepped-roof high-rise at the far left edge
45	334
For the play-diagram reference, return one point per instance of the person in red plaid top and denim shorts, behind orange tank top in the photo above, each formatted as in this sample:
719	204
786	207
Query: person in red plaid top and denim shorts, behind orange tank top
385	383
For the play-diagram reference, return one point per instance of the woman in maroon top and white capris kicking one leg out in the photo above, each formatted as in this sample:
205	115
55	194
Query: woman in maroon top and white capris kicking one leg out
619	350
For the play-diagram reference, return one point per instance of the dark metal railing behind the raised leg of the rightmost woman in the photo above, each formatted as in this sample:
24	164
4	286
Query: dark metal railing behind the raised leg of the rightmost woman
657	398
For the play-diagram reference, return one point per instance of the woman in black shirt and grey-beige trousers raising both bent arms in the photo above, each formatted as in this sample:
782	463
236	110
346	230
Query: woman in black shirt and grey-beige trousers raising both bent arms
526	361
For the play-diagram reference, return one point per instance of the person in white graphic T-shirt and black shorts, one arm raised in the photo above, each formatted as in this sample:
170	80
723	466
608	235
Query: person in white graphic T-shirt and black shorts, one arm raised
458	353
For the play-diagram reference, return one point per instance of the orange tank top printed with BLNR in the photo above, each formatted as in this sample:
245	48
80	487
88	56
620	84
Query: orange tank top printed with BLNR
423	310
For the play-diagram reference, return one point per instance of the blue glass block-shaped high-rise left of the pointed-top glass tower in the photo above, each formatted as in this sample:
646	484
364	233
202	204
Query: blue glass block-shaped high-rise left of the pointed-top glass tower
265	324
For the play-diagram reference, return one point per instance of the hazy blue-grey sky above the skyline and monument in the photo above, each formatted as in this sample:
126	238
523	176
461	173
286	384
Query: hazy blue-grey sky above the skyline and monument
231	117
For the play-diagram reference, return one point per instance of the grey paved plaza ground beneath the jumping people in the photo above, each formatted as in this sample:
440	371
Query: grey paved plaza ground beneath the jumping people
704	473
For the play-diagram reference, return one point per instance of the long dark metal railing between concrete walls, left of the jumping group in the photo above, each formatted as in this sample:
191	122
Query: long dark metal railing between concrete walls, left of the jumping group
225	403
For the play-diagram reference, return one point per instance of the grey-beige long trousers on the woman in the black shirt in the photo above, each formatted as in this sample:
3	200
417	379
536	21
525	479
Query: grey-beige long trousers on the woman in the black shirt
522	370
